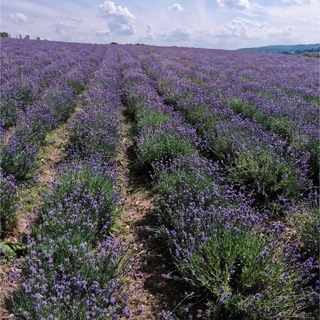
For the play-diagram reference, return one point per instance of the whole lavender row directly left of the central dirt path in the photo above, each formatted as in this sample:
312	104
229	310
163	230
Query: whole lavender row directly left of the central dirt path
73	266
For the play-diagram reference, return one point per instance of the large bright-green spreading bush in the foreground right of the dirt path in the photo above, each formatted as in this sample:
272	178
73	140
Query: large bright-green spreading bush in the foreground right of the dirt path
243	276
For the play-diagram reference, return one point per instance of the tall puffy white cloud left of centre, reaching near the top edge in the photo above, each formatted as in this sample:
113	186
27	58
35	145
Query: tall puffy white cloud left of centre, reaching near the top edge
120	20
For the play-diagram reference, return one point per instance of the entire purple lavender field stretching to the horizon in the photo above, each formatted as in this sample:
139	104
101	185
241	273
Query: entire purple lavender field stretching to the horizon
227	143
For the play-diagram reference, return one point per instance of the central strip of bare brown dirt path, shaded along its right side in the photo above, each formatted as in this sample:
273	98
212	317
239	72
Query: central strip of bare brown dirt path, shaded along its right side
151	291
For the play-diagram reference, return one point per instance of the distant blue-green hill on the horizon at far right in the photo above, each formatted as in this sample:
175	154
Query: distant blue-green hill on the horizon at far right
286	49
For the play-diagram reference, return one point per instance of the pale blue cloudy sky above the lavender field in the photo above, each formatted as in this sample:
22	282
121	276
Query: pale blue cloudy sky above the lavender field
225	24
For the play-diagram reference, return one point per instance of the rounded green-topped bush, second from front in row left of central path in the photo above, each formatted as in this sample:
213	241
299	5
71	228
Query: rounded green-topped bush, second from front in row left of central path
88	190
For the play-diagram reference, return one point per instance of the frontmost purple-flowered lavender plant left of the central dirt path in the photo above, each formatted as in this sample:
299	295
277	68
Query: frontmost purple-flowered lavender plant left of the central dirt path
67	291
